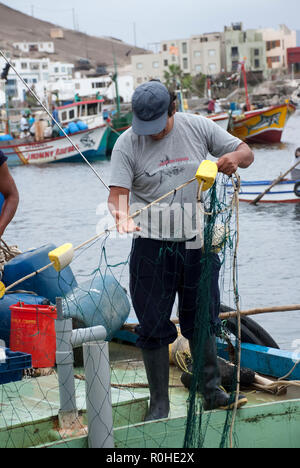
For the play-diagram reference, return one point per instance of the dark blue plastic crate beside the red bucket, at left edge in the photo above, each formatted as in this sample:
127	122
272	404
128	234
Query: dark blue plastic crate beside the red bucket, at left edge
12	369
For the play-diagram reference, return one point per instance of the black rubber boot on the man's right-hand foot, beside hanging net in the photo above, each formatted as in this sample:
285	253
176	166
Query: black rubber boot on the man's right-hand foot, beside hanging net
214	396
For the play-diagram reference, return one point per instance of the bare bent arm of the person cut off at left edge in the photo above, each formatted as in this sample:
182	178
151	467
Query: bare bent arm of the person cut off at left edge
9	190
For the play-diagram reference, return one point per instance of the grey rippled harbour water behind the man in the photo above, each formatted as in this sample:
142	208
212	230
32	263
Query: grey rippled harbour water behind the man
64	202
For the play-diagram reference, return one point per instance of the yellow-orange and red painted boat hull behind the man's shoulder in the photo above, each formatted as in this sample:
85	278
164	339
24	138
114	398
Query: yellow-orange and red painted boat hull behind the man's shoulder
263	125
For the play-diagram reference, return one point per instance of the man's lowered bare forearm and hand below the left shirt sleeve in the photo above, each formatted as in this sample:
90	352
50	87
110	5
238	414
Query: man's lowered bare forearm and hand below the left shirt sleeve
118	204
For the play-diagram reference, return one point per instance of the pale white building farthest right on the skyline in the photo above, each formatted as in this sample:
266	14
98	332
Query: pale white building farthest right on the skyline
277	42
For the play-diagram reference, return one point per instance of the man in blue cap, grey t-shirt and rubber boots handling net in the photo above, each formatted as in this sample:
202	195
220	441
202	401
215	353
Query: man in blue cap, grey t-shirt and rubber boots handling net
161	151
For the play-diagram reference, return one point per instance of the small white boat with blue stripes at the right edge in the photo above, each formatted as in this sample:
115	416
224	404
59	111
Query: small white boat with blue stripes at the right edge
286	191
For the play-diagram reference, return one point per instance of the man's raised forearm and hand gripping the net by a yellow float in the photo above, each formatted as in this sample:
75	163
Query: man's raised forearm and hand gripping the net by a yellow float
230	162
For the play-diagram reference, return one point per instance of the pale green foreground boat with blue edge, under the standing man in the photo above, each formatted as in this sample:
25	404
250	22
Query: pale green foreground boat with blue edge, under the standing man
268	421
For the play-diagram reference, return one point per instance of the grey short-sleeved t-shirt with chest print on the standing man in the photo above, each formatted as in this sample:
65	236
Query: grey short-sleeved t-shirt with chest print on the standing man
150	169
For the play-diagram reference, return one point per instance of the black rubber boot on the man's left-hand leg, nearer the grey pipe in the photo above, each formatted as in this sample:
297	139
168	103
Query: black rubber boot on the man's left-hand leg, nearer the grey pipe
157	364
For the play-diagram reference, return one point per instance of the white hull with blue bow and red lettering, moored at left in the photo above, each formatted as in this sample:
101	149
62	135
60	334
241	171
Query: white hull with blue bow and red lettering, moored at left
90	142
